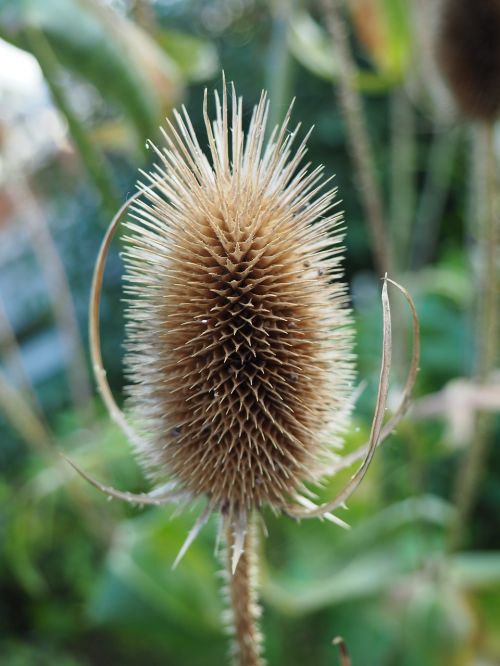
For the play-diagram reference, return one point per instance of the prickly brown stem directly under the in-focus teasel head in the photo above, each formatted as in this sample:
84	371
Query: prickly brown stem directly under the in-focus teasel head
244	610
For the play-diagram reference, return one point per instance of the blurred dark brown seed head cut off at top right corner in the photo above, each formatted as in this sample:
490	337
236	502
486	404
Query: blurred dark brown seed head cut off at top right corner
468	47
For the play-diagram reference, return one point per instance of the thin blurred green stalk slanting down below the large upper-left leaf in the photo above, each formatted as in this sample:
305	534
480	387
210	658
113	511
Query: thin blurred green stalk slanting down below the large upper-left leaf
90	155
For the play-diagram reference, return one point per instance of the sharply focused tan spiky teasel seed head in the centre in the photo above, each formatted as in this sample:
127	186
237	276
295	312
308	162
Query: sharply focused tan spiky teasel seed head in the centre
238	349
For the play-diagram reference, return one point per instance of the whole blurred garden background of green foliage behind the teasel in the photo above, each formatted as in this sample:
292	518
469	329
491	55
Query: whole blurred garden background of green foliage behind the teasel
84	581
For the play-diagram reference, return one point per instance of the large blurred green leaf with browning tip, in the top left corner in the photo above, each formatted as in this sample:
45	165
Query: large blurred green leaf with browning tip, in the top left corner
125	65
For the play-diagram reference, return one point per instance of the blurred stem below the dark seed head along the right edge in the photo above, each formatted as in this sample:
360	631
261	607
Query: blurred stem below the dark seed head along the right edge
471	470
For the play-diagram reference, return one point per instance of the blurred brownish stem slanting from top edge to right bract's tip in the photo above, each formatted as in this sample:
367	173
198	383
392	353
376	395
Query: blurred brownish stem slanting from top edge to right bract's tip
352	108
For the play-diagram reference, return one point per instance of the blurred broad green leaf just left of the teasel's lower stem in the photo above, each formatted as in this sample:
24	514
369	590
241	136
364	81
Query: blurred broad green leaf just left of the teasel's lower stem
139	568
